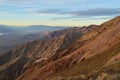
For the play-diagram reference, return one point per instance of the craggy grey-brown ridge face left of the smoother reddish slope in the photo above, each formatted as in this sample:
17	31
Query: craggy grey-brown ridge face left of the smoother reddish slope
14	62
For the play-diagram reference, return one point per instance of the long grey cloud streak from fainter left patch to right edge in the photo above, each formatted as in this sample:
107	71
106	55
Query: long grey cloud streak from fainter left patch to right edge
90	12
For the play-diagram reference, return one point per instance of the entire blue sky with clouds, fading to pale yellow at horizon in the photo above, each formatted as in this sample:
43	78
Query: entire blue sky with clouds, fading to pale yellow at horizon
57	12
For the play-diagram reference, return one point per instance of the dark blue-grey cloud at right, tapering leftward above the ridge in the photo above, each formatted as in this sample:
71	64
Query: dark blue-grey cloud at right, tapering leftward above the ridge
97	12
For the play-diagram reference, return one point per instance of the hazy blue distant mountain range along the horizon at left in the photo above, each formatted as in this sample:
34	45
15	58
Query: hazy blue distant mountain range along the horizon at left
33	28
